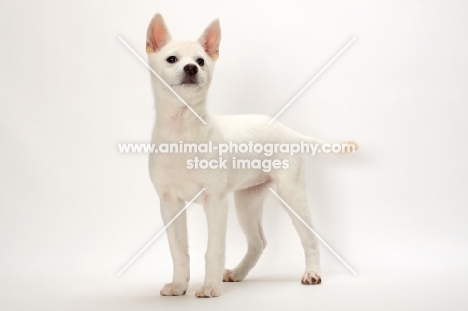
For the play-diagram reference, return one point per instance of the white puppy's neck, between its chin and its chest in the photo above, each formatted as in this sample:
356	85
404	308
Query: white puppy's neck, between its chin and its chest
176	122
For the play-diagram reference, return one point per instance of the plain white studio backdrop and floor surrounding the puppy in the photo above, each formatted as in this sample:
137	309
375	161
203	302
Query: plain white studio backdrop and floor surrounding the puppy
74	210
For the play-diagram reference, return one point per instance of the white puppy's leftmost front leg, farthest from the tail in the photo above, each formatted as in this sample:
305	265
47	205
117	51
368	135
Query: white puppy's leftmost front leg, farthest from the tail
178	243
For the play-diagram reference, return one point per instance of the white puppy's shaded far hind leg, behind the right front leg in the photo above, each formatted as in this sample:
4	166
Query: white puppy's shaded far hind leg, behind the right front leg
249	208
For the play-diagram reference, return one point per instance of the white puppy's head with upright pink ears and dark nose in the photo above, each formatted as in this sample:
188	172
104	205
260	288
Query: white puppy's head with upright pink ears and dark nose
185	65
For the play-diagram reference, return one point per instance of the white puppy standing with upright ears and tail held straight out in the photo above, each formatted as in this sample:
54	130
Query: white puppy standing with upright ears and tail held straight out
188	68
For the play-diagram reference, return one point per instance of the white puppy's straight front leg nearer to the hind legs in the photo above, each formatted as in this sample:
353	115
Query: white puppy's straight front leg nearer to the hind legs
216	209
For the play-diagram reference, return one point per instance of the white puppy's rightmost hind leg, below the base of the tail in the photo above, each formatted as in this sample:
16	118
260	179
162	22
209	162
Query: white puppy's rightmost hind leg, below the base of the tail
292	189
